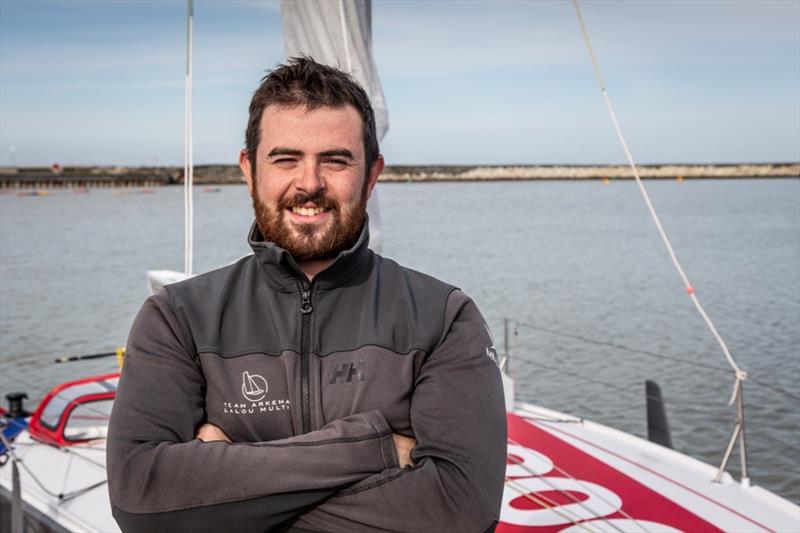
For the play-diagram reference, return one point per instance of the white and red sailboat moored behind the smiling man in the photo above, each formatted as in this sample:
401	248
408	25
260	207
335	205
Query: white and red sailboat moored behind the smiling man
564	473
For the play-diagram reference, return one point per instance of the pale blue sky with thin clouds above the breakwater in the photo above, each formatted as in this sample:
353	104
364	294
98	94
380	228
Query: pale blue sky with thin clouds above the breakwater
466	82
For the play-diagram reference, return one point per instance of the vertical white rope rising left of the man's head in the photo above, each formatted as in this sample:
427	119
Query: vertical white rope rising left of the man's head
188	167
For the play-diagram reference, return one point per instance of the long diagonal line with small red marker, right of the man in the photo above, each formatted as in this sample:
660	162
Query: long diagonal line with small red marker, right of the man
739	374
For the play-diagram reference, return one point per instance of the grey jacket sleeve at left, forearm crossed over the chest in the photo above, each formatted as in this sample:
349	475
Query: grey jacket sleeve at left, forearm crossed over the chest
162	479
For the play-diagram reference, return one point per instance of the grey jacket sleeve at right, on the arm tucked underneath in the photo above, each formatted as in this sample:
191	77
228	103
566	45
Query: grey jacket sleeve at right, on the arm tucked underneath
458	419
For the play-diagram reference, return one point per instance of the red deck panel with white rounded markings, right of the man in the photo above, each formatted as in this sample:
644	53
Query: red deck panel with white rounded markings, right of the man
611	500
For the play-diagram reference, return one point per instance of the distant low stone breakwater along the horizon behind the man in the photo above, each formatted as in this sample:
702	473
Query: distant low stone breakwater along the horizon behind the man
83	177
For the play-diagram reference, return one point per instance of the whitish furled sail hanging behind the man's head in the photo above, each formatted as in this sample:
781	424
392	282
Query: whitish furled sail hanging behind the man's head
339	33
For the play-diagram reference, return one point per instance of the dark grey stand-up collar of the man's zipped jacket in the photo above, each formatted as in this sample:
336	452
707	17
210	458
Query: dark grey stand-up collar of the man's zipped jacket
282	271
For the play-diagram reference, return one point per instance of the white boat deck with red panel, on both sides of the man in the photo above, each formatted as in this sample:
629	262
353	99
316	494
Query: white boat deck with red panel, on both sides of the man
617	482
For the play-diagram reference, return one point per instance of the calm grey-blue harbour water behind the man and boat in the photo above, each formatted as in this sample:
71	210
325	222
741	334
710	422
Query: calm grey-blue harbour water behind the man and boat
578	265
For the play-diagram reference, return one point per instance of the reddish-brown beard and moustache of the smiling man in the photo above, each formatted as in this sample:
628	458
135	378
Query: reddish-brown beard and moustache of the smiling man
312	245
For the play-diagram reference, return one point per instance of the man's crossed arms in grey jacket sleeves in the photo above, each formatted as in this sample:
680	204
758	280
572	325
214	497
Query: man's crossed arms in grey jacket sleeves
345	476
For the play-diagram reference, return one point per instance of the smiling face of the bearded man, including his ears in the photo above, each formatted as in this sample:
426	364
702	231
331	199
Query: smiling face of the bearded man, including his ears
311	183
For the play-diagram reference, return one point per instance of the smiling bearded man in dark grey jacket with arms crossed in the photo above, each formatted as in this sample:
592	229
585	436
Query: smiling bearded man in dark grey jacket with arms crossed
313	386
